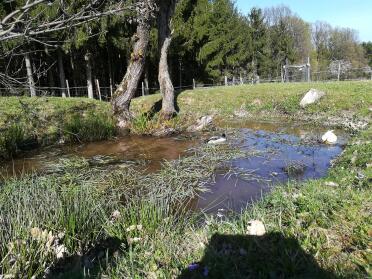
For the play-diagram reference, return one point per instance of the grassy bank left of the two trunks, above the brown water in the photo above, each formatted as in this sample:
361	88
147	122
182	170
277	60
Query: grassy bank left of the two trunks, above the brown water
30	122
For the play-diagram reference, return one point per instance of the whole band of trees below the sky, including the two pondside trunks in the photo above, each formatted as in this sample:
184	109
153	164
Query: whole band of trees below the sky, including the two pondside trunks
161	43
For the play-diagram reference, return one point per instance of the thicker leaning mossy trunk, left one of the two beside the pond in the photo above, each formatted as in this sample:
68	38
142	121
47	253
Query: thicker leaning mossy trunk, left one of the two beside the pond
128	86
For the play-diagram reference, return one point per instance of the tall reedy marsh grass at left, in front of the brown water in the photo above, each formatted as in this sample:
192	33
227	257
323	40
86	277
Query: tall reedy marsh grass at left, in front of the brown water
77	200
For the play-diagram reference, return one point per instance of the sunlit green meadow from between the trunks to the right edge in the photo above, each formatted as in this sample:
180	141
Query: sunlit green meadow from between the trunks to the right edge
344	102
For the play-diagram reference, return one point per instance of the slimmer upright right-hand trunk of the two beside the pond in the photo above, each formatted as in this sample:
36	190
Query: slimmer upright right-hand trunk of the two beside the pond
165	38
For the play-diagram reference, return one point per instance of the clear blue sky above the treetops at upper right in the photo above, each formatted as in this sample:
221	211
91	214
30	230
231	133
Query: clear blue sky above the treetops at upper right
356	14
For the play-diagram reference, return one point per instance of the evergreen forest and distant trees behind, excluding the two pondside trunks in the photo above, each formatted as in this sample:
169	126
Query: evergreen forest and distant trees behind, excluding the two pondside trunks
211	39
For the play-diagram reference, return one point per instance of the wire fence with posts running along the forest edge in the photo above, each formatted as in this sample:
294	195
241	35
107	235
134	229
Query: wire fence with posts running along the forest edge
105	93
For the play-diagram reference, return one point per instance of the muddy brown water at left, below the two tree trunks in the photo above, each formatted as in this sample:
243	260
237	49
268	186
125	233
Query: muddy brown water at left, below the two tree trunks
131	148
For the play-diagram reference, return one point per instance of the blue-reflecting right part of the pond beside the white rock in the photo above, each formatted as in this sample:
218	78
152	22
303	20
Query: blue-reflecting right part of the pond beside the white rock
286	152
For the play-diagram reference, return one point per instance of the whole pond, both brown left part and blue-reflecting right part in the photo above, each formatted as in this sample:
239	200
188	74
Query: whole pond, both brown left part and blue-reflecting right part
283	151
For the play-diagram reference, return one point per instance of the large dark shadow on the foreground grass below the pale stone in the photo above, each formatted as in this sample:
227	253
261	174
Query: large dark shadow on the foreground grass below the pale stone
243	256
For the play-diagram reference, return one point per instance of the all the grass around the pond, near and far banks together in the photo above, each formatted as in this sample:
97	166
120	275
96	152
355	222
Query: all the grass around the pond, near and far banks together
124	223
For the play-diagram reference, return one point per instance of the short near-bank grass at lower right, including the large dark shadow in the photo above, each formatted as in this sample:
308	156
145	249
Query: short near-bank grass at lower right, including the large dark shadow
313	231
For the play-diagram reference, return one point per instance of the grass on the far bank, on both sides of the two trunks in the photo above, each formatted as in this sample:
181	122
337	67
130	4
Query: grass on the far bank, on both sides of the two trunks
48	120
